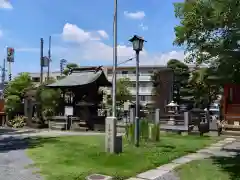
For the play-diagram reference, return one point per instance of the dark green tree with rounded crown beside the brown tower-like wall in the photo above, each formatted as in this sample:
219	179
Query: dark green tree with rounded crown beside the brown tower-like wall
181	77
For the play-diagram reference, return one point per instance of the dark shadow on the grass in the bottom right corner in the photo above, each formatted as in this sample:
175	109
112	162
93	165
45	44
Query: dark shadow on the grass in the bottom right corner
231	164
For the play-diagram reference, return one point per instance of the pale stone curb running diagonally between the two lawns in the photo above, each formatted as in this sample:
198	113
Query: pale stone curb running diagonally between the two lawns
161	172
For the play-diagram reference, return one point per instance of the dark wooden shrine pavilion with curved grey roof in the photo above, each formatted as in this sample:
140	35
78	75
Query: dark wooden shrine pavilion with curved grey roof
80	94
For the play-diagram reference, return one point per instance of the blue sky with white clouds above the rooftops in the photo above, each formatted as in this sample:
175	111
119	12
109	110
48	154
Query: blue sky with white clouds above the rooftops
82	32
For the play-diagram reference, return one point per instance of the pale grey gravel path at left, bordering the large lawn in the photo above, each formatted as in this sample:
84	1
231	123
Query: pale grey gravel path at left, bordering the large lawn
13	158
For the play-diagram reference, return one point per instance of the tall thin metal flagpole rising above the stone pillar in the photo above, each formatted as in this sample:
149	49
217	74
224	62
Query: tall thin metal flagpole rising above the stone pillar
114	60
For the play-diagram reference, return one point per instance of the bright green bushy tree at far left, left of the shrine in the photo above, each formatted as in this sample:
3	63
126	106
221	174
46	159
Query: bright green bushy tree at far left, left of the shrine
15	91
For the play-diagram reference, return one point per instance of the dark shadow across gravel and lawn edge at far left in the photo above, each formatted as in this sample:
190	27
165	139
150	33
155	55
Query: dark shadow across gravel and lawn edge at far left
21	143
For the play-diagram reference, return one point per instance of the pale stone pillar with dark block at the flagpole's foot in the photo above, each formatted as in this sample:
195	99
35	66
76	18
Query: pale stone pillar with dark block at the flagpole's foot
113	143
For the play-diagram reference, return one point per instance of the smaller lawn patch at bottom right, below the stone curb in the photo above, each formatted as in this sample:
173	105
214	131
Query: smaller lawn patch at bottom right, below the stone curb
218	168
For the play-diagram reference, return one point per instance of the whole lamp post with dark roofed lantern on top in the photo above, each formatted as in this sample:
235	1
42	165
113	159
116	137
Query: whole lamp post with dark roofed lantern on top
137	43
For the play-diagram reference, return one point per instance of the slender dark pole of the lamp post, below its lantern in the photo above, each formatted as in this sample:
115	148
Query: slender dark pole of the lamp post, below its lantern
137	102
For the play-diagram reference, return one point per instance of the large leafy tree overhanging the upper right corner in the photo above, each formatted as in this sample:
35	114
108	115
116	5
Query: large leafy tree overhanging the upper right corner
209	29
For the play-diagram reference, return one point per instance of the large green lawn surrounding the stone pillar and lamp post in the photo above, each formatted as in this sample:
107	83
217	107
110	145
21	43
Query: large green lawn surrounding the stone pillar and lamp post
75	157
